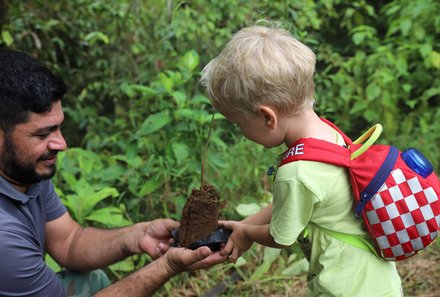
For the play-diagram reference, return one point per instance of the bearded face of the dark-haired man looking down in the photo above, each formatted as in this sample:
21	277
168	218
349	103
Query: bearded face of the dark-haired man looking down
28	155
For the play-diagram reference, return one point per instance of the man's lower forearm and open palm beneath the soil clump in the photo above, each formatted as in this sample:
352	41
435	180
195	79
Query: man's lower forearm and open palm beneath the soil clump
150	278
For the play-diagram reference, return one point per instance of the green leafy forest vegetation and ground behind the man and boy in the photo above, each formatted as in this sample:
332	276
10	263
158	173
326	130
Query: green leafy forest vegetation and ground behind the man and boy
137	118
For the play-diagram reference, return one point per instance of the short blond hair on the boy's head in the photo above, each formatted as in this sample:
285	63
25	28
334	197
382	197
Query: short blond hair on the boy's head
261	66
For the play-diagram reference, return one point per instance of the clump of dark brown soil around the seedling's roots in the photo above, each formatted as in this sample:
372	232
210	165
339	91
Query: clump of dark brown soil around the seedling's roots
199	215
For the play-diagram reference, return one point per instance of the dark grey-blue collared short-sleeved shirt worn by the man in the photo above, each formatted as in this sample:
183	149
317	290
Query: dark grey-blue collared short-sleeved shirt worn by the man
23	271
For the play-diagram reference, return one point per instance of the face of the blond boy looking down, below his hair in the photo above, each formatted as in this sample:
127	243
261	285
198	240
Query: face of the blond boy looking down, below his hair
255	128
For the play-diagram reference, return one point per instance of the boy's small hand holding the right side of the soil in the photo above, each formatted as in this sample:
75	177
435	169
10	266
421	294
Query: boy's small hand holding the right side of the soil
237	243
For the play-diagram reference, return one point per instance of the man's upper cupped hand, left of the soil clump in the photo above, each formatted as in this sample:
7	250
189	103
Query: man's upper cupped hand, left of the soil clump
155	240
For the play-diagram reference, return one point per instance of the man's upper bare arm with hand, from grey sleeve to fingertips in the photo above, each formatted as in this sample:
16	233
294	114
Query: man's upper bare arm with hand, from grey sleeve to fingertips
78	248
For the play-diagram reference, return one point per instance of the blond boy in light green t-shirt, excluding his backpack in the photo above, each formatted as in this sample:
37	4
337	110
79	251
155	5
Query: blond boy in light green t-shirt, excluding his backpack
263	82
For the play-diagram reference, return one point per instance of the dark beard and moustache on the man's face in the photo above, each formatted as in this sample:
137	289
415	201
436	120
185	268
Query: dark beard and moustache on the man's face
18	170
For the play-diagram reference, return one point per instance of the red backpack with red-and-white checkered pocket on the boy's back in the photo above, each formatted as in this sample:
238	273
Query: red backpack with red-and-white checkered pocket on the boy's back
396	193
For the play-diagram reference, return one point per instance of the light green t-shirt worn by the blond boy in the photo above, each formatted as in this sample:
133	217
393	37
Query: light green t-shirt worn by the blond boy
318	195
